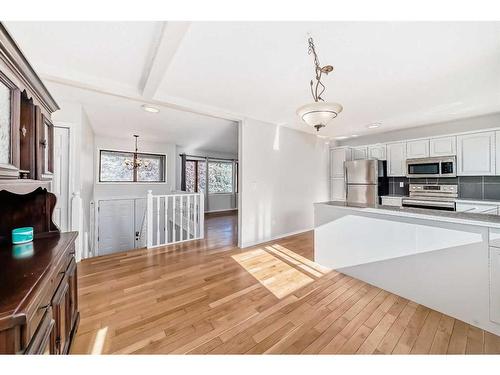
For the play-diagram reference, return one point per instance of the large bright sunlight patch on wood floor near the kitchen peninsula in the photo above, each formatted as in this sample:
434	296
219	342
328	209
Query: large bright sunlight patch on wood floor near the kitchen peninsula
269	266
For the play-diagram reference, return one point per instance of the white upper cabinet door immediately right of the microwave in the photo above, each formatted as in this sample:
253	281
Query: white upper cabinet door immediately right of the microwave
476	154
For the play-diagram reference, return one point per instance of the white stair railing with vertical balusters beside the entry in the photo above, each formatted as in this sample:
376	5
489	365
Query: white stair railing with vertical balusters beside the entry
174	218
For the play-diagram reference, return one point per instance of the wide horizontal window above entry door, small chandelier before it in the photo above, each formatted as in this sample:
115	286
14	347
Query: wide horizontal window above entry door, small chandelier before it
112	167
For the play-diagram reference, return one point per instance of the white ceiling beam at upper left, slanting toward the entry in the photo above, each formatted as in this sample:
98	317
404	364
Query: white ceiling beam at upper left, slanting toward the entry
164	50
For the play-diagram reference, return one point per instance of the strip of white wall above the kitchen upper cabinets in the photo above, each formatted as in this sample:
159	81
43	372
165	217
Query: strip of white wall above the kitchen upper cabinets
431	130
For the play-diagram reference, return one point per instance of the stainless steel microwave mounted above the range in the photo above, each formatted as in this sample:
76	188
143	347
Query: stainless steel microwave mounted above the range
431	167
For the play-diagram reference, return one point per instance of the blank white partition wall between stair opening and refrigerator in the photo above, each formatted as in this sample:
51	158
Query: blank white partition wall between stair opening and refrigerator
283	172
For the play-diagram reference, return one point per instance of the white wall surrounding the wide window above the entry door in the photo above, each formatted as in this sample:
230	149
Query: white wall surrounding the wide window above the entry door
124	190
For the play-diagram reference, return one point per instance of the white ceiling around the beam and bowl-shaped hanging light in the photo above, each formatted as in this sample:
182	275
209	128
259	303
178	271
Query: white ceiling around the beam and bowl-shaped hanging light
401	74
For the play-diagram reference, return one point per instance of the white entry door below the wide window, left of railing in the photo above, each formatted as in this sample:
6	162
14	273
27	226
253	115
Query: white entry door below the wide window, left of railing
116	229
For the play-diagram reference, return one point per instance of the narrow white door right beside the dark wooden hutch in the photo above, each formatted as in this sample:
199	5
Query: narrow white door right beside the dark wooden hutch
60	182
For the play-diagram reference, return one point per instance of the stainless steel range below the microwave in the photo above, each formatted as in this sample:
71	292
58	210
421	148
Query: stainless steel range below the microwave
439	197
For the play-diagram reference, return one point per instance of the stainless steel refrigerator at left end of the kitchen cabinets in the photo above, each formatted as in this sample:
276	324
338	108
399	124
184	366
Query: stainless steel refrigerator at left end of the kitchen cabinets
366	181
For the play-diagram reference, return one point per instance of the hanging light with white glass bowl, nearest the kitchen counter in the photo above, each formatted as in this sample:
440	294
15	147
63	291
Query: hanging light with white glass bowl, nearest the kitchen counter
319	113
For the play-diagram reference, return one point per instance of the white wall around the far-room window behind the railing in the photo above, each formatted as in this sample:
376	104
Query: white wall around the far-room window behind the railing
216	202
